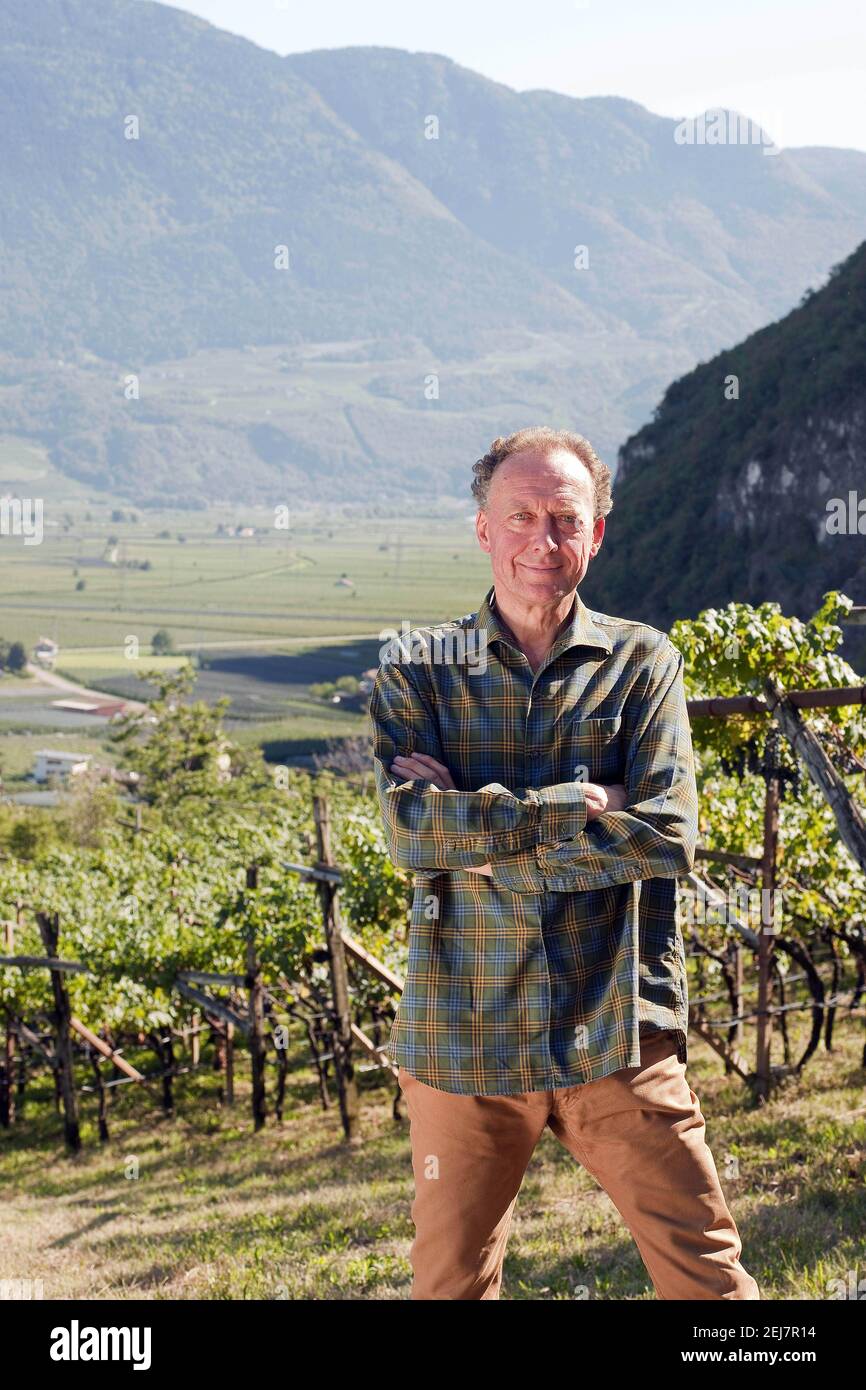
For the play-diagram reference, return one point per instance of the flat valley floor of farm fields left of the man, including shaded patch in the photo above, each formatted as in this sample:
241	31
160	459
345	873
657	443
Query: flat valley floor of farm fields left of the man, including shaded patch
262	618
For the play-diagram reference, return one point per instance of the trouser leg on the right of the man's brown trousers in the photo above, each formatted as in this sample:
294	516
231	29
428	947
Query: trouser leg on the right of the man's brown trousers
643	1136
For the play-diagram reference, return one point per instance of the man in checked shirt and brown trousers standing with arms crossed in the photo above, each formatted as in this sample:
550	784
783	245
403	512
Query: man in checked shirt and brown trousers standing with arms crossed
540	782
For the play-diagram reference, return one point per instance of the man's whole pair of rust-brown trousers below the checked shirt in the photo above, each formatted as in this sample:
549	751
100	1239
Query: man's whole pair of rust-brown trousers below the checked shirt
642	1135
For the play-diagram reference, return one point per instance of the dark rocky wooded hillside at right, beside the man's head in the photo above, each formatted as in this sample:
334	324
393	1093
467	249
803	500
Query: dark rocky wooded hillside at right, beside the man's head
722	500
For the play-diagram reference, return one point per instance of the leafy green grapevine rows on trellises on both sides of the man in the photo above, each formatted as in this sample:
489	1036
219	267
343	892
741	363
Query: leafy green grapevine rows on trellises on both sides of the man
243	918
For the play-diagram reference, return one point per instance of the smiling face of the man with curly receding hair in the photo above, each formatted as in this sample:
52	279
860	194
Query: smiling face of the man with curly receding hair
539	526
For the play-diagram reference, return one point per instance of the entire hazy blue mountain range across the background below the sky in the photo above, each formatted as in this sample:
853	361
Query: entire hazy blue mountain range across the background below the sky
152	343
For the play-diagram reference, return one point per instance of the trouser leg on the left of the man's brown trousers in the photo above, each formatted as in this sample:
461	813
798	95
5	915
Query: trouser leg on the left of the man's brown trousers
469	1156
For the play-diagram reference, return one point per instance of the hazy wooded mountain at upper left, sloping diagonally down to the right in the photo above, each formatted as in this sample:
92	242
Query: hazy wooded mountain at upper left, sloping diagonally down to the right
156	247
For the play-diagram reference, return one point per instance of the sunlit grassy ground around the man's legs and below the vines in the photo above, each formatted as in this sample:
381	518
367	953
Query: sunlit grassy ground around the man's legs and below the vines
220	1213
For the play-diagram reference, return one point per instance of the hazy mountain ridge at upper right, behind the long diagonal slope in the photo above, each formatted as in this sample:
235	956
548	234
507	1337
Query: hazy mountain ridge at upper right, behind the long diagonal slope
683	238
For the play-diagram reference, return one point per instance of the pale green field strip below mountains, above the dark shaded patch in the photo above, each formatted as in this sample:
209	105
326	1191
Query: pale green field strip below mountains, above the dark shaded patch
209	589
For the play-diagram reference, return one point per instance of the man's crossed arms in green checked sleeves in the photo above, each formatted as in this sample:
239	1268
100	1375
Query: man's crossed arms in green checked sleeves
550	837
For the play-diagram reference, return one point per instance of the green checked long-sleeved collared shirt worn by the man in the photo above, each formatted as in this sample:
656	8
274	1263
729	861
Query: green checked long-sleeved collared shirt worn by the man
546	975
